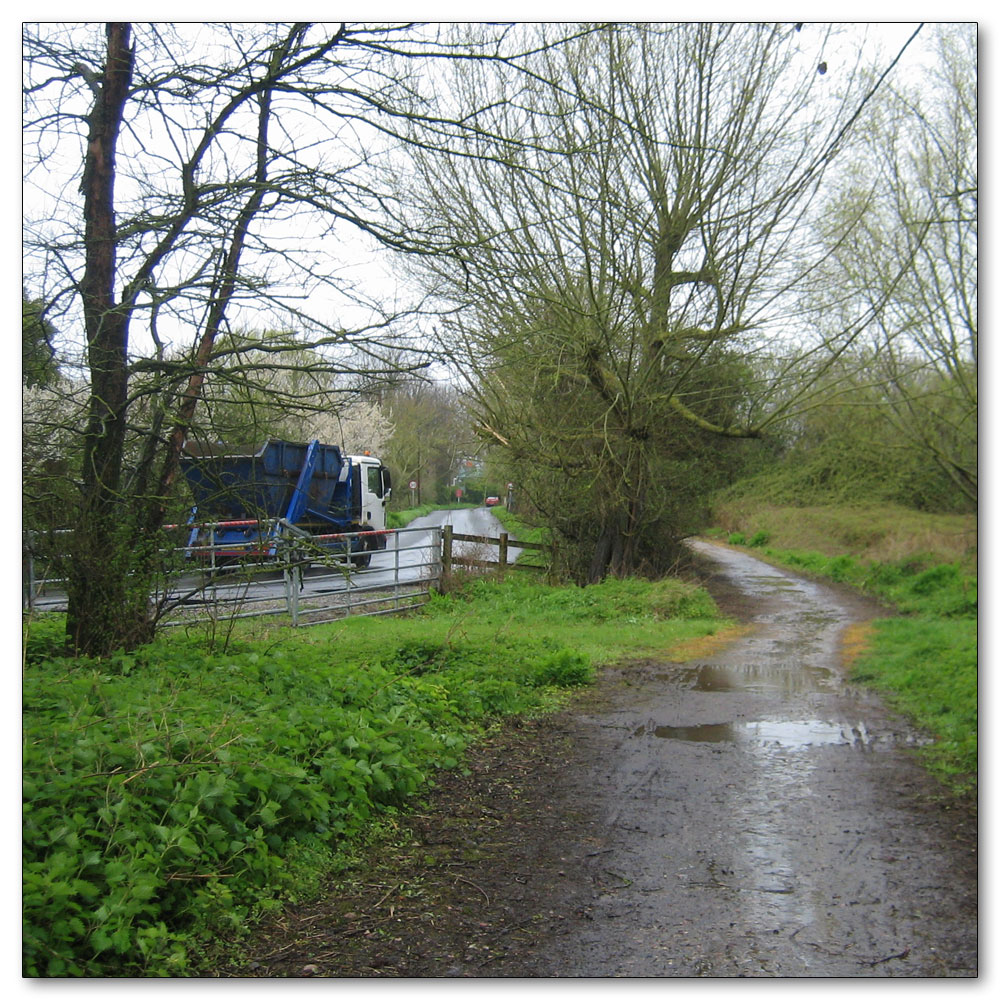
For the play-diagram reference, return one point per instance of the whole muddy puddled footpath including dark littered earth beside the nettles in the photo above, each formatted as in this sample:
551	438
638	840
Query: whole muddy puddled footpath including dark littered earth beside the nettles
744	813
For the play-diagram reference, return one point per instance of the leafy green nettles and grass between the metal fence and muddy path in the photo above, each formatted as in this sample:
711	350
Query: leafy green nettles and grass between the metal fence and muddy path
172	795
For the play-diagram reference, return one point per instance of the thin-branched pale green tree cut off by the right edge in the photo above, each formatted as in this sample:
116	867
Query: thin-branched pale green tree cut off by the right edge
905	235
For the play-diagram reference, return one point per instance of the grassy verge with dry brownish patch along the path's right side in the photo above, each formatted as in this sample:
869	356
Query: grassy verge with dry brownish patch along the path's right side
925	659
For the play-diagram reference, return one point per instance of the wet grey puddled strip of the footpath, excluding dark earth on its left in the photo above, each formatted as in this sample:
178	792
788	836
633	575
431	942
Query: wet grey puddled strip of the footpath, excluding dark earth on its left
753	815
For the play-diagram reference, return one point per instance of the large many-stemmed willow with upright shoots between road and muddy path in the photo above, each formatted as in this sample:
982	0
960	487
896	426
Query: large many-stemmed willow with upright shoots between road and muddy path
634	258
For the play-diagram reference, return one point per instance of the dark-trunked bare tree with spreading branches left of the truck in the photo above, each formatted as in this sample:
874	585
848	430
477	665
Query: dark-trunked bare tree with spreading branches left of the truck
183	179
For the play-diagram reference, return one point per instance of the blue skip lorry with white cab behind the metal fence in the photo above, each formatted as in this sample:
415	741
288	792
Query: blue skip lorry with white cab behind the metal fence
247	501
